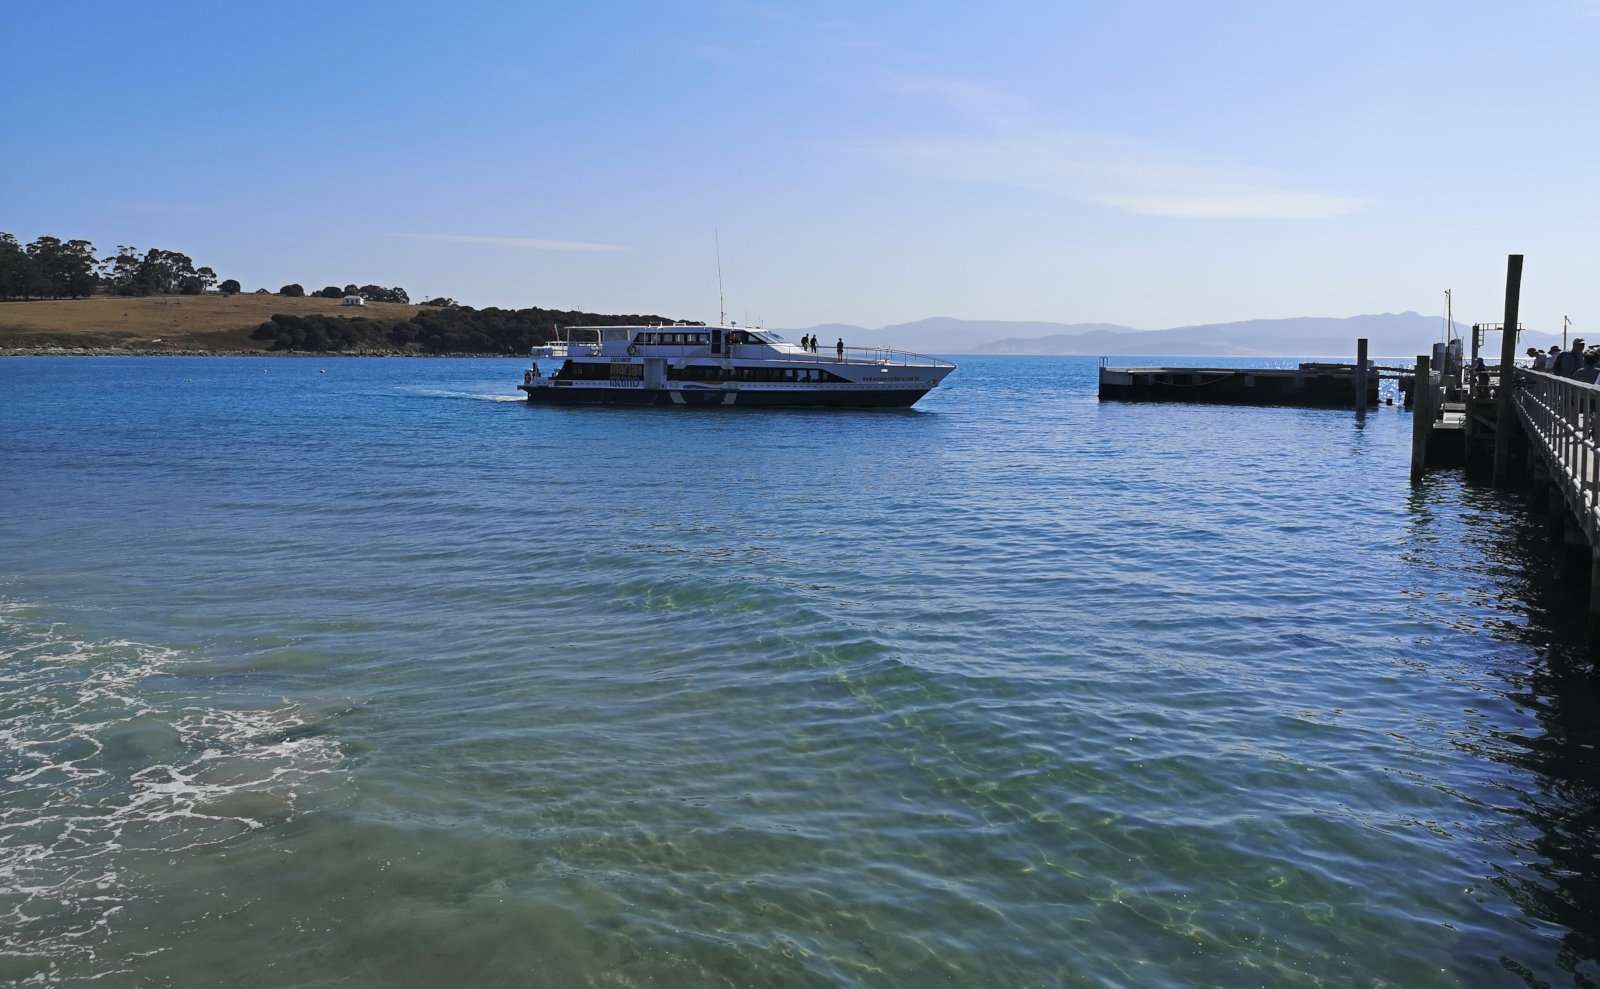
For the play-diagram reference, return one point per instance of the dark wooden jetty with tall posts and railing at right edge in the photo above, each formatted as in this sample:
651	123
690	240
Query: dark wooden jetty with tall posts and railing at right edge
1522	430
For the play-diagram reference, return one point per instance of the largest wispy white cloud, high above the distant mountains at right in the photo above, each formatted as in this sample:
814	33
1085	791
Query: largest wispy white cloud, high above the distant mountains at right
1012	150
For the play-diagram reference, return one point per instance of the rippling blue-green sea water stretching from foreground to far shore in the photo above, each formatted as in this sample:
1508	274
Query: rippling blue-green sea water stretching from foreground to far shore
378	676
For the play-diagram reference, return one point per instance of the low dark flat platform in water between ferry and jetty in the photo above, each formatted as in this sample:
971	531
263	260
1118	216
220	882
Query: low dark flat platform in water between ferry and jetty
1310	385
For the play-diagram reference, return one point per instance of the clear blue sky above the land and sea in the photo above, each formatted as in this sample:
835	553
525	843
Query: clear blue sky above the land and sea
1146	164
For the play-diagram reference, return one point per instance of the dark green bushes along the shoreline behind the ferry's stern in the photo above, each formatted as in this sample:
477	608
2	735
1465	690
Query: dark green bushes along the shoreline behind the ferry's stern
441	329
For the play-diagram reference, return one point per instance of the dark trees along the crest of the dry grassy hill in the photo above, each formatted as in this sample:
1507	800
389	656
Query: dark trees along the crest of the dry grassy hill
70	270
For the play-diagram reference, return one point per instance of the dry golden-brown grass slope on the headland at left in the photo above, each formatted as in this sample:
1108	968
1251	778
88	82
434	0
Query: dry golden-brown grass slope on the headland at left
164	322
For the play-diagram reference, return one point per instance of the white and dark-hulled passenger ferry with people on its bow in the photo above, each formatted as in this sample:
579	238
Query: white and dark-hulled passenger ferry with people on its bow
722	366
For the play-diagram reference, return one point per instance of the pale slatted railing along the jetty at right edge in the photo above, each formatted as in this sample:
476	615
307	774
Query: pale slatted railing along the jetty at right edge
1561	418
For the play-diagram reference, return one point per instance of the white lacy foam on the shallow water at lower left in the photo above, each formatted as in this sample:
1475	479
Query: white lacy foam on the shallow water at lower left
73	809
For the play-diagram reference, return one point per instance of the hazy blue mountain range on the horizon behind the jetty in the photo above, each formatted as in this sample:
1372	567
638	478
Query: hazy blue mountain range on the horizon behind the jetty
1388	334
